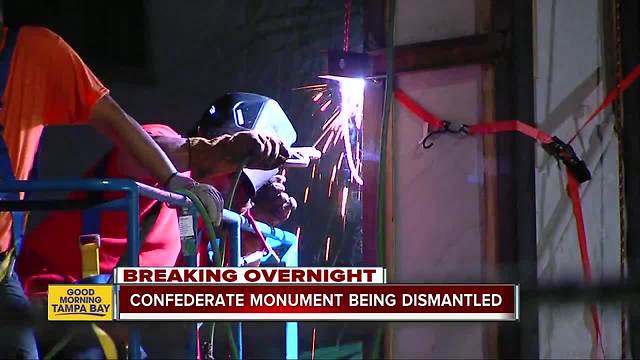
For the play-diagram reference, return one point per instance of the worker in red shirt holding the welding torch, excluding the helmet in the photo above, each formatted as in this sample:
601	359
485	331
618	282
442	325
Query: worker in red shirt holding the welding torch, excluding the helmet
52	253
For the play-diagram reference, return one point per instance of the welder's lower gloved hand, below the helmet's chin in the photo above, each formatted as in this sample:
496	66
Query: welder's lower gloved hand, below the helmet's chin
272	204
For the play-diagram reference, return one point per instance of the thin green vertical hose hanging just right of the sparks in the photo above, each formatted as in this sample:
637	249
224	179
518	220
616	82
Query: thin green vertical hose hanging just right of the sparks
388	99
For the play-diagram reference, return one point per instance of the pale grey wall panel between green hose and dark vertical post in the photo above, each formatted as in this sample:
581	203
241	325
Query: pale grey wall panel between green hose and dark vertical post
438	209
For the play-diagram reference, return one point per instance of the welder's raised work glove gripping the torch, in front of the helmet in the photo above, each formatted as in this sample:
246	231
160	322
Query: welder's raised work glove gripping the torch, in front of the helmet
225	154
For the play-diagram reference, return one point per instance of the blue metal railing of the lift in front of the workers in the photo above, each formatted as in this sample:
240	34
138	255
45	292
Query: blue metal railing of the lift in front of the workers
130	202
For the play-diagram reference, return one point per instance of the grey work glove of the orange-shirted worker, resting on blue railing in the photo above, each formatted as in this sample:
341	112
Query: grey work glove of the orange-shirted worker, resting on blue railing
211	198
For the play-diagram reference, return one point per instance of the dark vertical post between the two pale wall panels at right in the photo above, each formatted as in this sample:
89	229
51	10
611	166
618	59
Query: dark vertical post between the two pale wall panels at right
516	213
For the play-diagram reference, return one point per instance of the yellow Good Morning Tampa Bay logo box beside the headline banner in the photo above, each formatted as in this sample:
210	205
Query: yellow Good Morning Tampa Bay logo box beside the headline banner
80	302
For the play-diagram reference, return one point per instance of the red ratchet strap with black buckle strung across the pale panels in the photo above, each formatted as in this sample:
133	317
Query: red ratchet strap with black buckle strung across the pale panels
553	145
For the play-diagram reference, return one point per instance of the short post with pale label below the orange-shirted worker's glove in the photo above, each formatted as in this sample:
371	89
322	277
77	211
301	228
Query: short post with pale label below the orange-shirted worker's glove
188	222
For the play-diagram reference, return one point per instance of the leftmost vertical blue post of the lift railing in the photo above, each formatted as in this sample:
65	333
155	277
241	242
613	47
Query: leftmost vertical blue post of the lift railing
133	251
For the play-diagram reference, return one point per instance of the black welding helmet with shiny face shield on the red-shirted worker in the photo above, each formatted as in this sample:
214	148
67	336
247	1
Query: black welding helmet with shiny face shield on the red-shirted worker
235	112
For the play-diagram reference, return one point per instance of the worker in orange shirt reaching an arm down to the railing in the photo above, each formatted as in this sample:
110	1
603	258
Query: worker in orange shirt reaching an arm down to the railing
44	82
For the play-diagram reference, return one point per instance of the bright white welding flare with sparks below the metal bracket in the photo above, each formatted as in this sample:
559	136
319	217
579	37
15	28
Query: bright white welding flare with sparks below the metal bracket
346	118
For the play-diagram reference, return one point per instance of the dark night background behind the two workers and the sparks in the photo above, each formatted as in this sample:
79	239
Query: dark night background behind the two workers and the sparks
165	61
